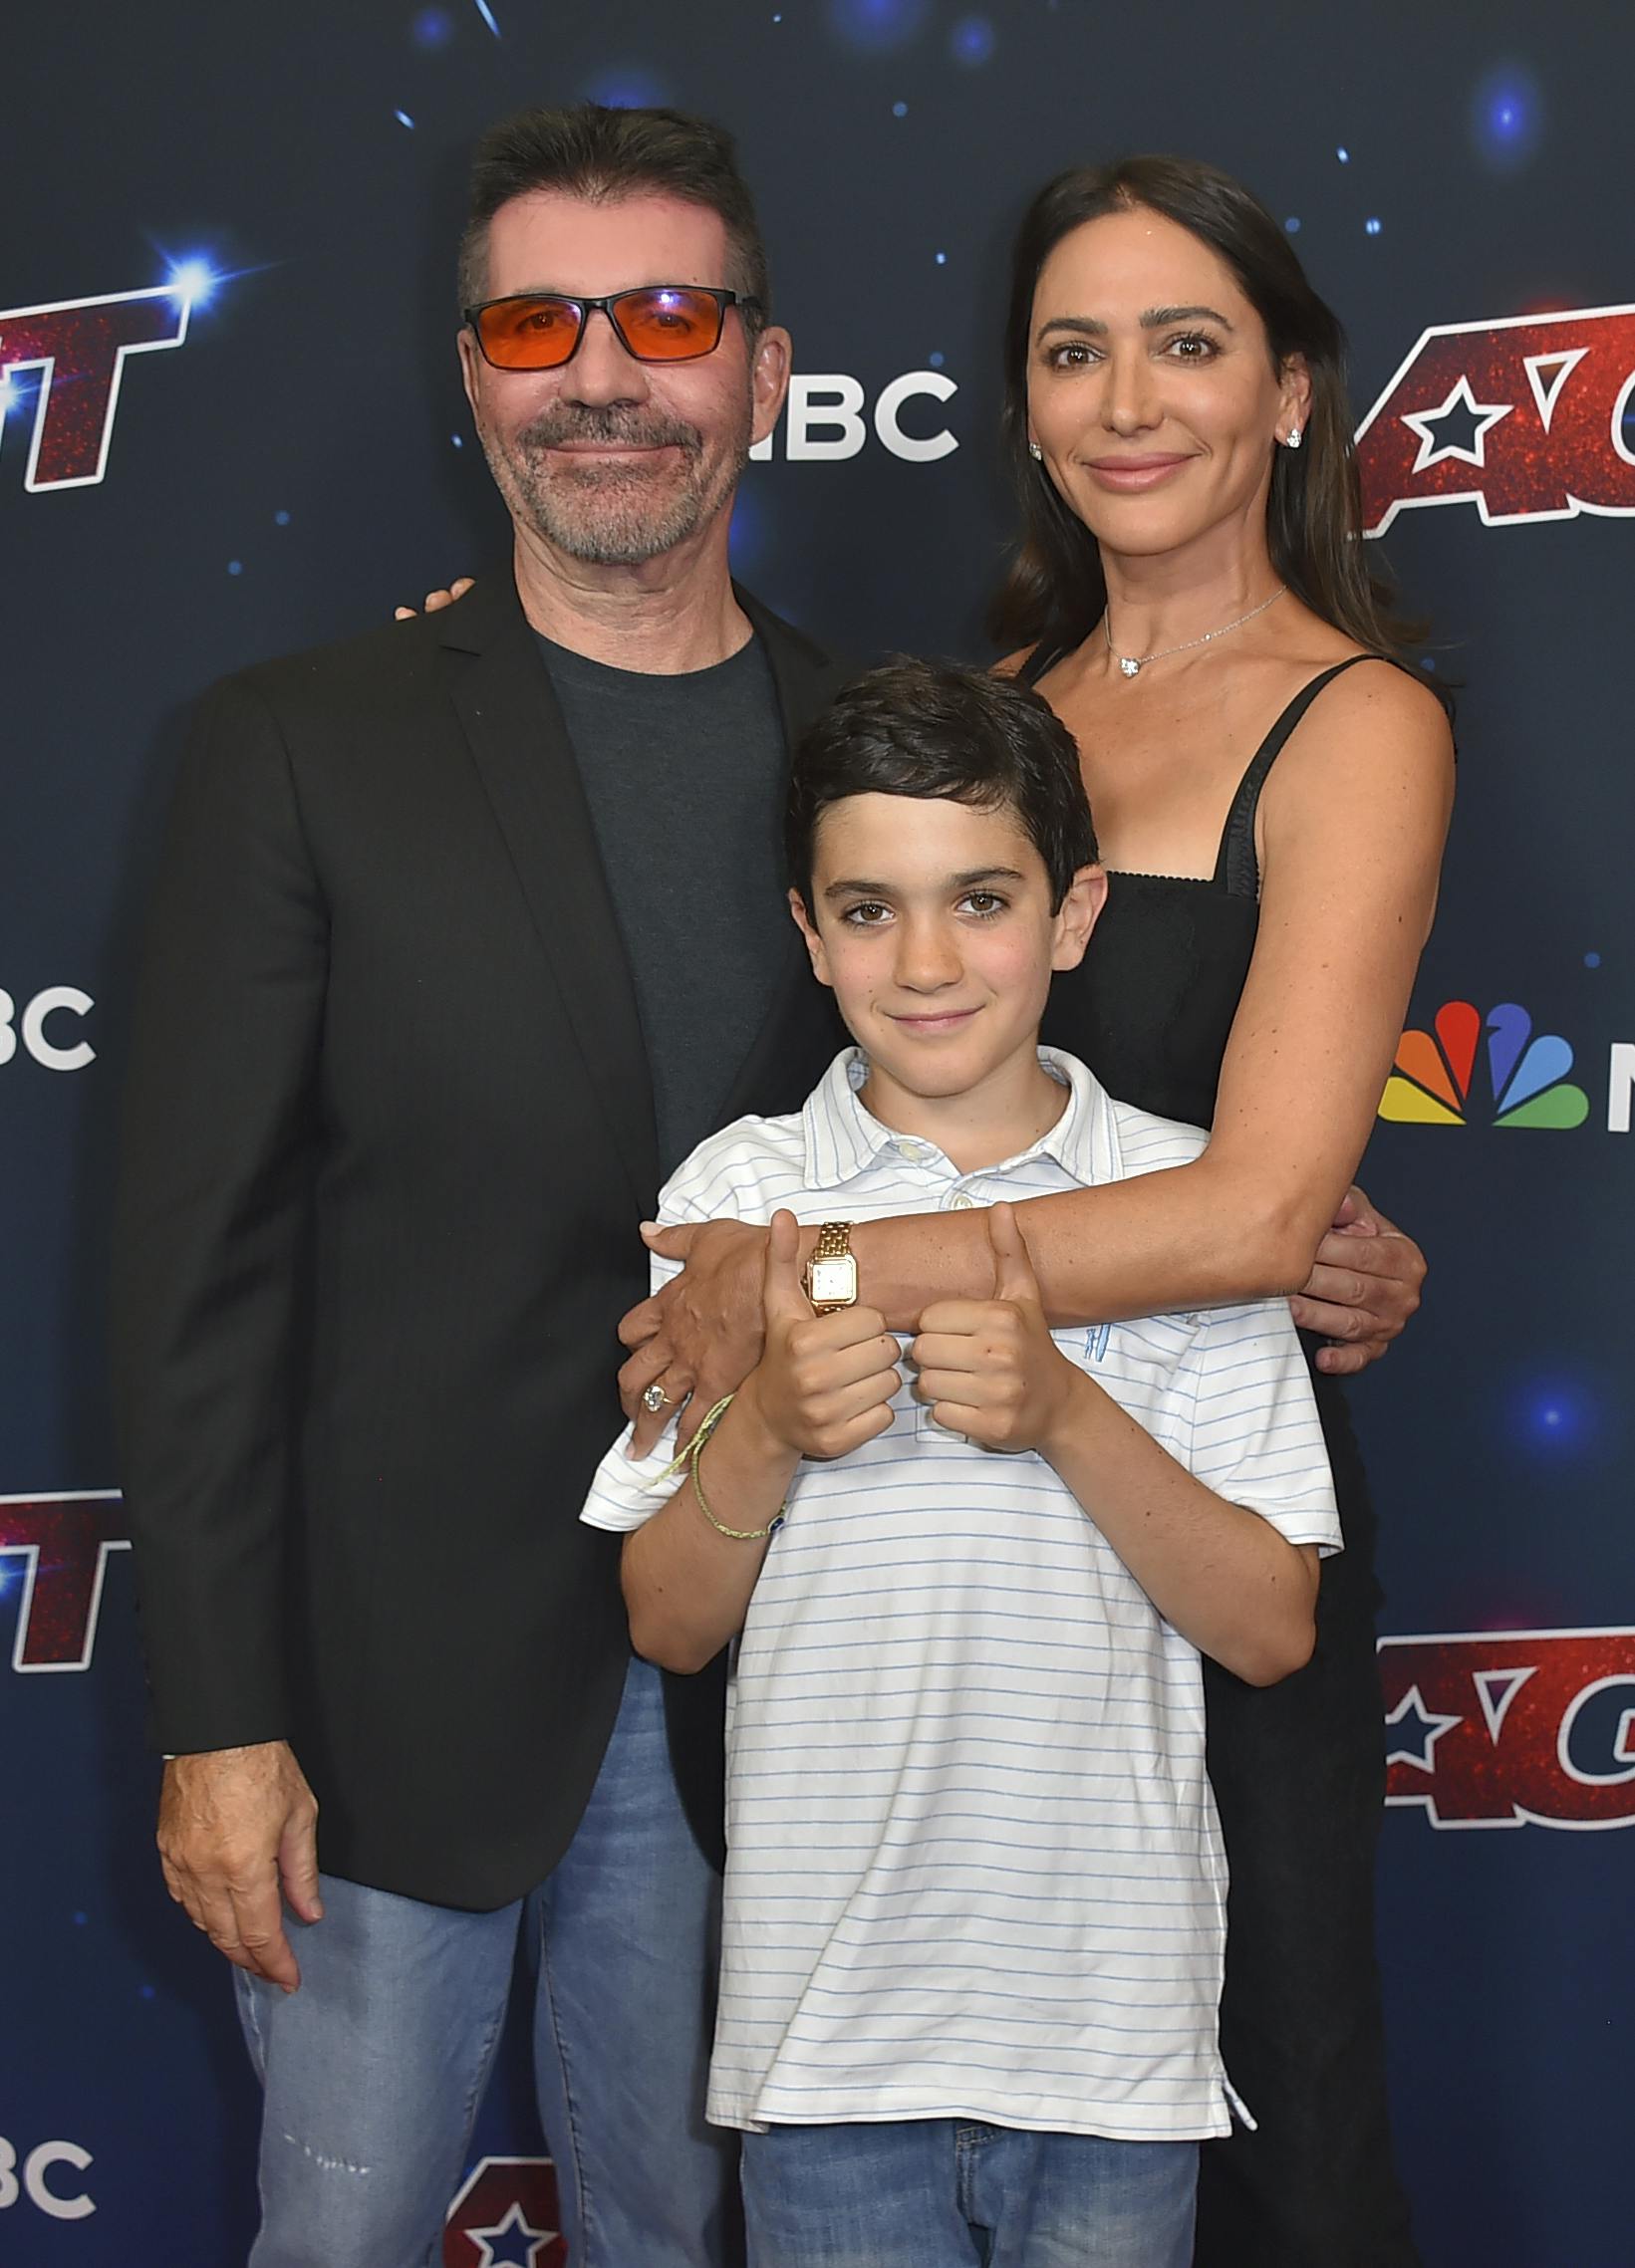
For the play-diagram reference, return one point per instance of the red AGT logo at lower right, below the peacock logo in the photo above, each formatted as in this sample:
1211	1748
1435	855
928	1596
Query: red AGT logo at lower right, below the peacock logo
1507	1729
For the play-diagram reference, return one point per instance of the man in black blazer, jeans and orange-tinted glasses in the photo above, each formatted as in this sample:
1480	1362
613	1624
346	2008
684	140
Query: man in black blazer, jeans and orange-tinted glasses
466	933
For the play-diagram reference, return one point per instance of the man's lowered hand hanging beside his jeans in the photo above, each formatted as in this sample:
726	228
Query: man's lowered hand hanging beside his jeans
235	1825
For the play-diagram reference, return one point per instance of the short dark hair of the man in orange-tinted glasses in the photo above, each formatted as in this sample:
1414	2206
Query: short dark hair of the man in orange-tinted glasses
609	155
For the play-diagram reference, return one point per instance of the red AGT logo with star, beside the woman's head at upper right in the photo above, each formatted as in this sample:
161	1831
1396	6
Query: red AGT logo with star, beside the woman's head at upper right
1523	418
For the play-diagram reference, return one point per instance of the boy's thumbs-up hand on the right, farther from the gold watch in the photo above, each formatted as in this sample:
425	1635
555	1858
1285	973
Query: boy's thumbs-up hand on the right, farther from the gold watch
990	1369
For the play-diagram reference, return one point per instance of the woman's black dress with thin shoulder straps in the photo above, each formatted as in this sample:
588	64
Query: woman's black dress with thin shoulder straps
1298	1768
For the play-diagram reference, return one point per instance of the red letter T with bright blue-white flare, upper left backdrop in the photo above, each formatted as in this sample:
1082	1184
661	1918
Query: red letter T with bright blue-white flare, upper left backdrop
81	348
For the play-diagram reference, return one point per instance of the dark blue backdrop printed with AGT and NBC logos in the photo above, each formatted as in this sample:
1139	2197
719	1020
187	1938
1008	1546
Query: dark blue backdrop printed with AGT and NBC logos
232	425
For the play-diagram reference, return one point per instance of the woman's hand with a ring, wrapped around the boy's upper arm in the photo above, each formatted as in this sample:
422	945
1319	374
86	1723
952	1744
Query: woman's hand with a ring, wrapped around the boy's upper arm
702	1332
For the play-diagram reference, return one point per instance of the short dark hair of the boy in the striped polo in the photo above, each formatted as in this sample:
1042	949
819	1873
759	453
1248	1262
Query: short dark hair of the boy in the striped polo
949	736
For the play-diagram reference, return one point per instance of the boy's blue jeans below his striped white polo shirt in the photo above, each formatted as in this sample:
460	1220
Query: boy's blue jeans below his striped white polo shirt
958	2194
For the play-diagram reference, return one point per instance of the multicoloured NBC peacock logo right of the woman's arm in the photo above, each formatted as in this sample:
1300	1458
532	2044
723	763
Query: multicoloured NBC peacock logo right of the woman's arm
1437	1083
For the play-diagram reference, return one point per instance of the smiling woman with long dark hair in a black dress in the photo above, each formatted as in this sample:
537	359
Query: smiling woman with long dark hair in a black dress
1273	797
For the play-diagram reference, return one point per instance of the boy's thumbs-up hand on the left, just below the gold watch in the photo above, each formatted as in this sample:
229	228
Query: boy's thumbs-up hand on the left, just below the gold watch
824	1382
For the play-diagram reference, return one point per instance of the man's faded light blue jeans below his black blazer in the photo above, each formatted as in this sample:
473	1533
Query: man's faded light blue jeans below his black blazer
375	2067
